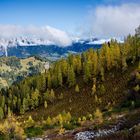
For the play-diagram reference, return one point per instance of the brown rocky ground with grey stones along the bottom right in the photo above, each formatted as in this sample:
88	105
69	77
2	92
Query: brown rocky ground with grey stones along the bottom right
90	133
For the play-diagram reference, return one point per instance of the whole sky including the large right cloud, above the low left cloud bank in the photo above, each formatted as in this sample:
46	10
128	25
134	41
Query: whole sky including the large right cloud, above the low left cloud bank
101	18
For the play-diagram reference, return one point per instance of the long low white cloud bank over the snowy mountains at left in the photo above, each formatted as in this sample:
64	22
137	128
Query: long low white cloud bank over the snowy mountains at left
51	34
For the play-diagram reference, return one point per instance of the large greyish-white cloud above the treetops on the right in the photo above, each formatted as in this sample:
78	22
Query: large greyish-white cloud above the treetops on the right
114	21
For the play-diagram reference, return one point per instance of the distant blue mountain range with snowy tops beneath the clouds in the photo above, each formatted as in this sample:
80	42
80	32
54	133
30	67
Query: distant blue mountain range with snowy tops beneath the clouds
25	47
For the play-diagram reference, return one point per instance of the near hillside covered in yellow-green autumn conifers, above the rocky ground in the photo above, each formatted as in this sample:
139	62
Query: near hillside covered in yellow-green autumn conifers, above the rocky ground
81	87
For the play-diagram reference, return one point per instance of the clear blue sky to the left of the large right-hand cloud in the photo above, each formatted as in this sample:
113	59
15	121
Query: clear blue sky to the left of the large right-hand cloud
62	14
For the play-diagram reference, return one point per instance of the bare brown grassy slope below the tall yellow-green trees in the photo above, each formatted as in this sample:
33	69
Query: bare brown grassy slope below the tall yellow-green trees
79	104
